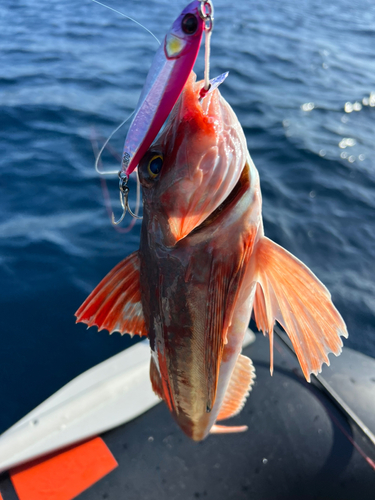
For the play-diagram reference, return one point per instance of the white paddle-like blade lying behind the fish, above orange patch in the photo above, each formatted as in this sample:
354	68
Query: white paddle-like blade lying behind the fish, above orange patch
105	396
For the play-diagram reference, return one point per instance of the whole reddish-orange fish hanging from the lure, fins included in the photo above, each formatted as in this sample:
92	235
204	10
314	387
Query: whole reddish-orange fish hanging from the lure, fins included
203	265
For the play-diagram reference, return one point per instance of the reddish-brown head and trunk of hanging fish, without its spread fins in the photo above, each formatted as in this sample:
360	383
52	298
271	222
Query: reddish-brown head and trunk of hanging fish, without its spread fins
192	251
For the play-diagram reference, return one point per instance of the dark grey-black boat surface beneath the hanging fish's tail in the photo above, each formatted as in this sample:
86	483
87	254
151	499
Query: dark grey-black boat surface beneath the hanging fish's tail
298	446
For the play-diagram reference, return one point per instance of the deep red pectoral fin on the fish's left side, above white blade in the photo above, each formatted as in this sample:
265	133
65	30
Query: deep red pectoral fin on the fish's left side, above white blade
115	304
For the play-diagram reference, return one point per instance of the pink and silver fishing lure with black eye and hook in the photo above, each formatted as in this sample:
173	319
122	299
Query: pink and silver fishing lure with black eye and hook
165	81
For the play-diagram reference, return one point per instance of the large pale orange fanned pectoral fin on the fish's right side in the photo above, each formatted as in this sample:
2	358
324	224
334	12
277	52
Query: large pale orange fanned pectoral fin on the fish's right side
287	291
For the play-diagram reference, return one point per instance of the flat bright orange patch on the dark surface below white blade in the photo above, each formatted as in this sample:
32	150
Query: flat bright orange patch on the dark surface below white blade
65	474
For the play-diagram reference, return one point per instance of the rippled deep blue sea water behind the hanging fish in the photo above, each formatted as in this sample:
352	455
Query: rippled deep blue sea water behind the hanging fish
301	78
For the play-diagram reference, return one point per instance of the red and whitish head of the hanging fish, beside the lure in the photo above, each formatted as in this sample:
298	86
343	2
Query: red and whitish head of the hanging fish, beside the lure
194	164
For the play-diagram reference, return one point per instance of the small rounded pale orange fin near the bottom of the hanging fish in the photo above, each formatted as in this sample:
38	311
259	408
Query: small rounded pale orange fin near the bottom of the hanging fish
240	385
